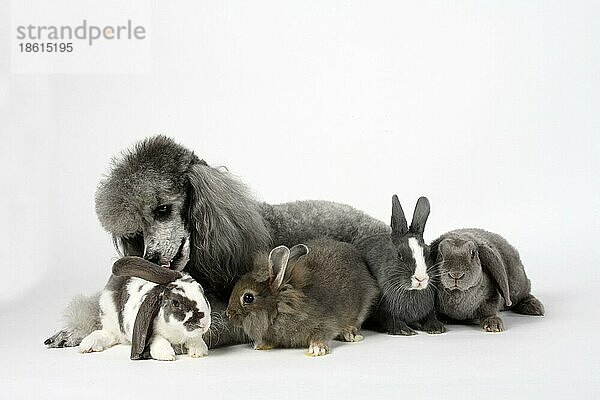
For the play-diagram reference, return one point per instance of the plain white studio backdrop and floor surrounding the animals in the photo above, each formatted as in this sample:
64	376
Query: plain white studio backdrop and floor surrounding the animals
491	109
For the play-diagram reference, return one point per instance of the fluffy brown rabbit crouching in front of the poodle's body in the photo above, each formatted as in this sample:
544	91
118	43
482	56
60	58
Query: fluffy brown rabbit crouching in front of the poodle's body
304	298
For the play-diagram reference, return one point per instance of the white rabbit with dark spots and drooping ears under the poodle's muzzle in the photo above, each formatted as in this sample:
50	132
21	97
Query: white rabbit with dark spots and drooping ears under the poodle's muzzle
152	307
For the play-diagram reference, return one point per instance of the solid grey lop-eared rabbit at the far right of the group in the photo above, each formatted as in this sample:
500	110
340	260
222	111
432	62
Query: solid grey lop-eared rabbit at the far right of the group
481	274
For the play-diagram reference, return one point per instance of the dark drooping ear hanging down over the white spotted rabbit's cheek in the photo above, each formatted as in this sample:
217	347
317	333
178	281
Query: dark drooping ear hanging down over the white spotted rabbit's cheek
142	328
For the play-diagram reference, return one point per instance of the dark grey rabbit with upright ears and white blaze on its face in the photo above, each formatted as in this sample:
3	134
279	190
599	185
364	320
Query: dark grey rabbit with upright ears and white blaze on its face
400	263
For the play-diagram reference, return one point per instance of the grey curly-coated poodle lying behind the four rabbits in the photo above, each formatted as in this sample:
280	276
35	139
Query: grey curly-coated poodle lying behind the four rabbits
163	202
